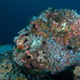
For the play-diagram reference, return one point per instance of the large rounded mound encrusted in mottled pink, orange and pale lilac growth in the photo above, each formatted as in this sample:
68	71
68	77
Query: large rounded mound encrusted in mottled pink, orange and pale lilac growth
49	43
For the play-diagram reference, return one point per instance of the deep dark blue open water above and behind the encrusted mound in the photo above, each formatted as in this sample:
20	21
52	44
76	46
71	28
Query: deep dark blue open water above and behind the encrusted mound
14	14
